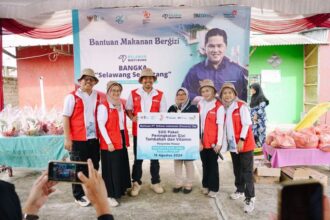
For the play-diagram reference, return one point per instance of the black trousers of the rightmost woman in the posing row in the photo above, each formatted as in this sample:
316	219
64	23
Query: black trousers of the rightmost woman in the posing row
243	171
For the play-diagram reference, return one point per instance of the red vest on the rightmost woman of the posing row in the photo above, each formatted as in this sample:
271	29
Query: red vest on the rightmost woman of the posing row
249	143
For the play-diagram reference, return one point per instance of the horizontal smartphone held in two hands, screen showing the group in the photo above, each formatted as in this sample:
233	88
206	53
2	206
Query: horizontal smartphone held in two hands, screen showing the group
66	171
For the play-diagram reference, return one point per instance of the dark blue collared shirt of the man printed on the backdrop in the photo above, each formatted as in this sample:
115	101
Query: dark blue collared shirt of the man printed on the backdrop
226	72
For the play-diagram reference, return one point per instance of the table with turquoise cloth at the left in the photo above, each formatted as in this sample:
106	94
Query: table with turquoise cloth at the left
31	151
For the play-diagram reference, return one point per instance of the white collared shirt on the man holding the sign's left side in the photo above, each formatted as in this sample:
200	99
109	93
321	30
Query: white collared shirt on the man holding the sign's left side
146	100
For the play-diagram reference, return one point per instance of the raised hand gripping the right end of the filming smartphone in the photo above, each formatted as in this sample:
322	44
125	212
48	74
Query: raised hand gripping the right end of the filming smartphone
95	190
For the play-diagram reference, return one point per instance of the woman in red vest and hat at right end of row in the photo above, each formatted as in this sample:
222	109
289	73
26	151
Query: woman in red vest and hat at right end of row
235	130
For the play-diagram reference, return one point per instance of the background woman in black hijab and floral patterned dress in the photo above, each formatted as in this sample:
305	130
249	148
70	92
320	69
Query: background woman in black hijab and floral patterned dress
258	113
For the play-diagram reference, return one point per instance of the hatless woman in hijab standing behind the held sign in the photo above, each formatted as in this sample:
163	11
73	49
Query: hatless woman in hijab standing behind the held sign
182	105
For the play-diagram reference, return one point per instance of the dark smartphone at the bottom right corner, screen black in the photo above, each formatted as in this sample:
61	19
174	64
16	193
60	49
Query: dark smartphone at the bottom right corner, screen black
301	200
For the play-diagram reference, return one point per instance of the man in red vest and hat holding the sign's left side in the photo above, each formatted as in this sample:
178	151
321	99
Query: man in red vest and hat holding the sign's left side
145	99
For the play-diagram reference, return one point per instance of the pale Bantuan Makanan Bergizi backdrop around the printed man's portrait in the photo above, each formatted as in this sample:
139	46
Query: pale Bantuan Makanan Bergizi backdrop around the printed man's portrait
118	43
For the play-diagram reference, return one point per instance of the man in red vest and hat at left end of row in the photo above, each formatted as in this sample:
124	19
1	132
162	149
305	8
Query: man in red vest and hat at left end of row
79	122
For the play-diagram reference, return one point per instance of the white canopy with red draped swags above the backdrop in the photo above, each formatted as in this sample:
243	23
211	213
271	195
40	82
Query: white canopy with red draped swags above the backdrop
52	19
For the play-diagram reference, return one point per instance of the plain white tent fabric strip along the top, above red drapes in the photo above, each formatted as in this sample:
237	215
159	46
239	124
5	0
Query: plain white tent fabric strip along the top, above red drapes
22	9
